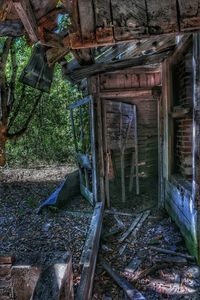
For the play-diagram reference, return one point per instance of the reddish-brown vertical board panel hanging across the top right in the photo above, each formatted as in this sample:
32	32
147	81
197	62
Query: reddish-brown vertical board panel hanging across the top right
104	22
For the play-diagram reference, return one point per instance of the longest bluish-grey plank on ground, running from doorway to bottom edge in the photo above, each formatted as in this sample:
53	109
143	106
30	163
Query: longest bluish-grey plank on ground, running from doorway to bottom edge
89	256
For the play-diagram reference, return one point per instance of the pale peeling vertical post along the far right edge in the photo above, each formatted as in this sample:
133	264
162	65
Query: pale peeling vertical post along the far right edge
196	132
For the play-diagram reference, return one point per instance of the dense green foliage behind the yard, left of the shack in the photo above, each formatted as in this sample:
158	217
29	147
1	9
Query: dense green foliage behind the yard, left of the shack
49	136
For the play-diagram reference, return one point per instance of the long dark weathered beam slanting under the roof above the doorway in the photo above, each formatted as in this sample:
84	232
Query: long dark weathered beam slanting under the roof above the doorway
87	71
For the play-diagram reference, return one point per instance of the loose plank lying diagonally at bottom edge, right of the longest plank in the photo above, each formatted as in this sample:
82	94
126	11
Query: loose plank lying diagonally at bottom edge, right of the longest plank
128	289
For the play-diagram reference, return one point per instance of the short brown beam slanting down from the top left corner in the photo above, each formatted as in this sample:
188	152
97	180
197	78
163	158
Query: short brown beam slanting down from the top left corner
26	14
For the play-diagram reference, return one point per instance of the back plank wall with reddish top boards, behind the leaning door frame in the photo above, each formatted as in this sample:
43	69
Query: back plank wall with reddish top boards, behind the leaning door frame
133	86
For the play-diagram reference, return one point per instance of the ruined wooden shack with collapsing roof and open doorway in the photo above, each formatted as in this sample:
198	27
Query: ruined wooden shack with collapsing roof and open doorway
138	127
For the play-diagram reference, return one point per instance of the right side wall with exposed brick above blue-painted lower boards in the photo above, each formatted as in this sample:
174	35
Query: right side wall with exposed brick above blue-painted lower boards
179	200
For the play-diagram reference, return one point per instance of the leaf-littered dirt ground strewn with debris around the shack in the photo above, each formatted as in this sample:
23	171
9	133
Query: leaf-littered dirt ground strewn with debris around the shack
39	239
